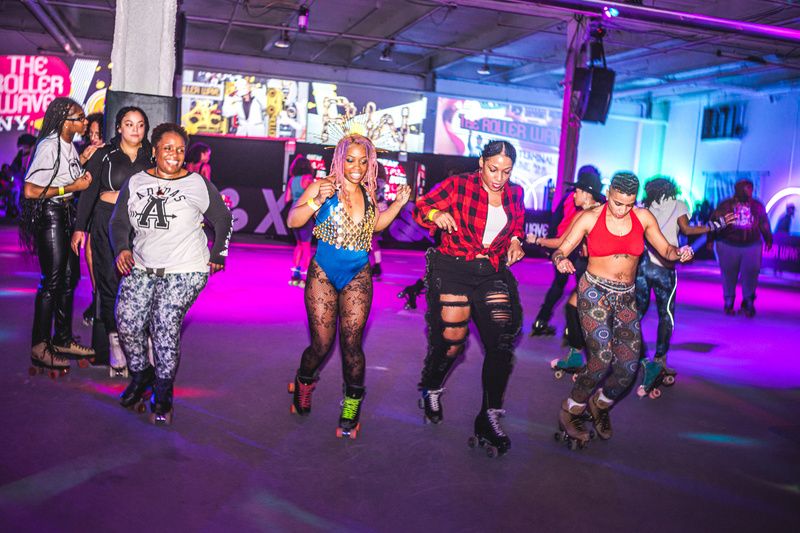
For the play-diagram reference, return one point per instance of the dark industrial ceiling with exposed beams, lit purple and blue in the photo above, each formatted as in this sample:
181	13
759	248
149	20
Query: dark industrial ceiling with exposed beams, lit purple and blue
452	40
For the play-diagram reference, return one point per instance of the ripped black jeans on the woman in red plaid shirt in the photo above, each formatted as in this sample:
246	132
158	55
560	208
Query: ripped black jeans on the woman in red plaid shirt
457	291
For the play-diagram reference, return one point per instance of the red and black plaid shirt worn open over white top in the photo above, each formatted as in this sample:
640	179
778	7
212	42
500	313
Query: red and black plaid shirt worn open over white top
466	200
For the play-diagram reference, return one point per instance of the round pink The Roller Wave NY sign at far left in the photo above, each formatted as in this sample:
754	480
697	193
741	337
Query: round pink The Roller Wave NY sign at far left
27	86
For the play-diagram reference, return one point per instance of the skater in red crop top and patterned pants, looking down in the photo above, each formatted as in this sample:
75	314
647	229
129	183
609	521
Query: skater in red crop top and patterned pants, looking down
615	236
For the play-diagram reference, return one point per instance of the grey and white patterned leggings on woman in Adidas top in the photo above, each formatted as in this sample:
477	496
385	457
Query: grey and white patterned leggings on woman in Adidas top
148	303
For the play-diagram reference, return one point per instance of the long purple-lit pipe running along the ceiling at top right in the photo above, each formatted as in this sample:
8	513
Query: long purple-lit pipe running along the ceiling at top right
642	13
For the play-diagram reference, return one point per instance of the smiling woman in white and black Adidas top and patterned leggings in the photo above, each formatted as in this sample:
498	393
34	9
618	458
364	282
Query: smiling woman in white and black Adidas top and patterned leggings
162	252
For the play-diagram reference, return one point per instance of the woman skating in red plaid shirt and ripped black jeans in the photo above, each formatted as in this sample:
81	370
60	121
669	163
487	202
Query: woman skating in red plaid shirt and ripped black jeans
481	218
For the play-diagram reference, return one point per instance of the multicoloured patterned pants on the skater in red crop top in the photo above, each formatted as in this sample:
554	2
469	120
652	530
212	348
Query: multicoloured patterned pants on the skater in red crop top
613	337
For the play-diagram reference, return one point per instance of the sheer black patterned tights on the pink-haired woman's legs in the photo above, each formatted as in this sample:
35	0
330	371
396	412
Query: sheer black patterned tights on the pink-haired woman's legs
324	306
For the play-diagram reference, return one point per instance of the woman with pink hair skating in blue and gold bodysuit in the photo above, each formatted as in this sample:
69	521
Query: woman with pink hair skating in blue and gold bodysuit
339	285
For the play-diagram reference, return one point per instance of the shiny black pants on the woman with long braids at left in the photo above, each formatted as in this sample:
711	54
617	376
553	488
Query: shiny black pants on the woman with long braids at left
60	272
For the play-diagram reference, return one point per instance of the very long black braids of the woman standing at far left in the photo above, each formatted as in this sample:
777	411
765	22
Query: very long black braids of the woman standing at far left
31	208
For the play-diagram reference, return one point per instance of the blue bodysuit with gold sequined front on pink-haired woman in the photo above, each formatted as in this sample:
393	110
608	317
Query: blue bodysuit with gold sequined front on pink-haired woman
342	245
